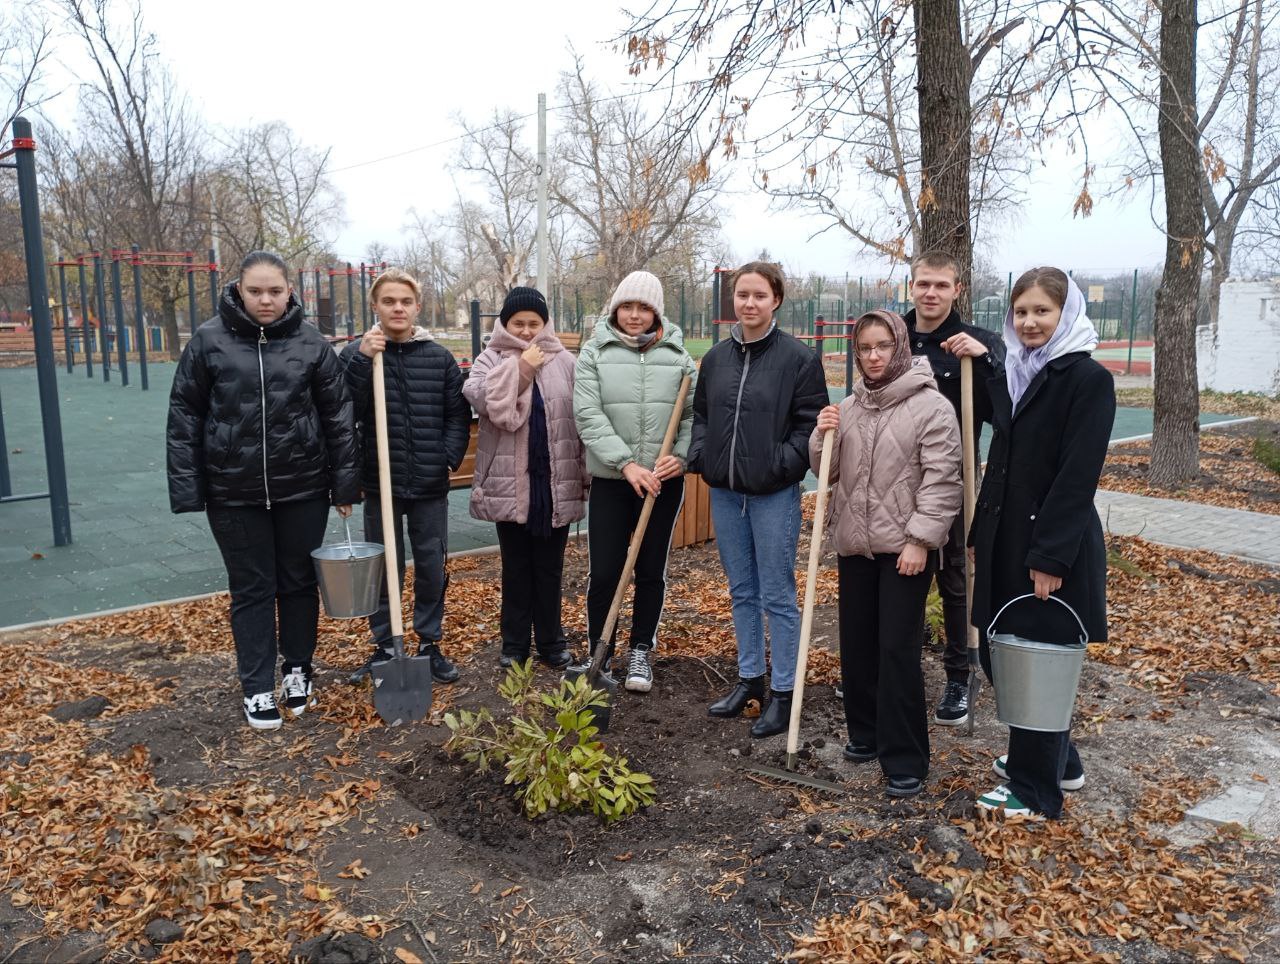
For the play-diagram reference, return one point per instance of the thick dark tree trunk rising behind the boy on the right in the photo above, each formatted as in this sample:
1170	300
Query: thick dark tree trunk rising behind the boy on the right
947	131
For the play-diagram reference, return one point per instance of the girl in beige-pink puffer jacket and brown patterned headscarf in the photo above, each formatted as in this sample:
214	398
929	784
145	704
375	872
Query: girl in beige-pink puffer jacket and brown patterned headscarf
897	490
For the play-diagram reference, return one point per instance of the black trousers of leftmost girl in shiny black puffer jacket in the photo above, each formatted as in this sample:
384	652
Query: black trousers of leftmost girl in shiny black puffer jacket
269	573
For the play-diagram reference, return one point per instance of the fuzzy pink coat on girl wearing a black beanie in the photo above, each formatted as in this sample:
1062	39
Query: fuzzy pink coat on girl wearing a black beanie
502	392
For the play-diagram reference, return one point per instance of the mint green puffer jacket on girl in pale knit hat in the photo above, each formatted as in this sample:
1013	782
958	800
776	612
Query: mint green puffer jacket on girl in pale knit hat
623	399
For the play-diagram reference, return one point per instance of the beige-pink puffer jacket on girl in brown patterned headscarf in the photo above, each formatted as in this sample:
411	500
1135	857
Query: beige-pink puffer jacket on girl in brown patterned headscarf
895	467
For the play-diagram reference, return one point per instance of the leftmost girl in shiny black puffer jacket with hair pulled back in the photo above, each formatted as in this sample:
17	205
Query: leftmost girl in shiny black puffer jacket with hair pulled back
262	437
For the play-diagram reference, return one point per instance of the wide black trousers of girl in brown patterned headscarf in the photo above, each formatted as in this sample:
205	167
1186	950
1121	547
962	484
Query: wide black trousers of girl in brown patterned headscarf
881	633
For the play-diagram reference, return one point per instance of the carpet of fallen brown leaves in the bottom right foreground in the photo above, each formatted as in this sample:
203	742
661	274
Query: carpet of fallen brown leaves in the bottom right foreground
1068	890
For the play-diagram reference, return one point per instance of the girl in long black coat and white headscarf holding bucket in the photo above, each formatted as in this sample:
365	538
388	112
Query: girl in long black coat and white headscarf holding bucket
1035	529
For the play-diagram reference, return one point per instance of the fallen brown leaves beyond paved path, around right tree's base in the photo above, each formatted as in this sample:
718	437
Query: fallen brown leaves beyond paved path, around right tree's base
1229	476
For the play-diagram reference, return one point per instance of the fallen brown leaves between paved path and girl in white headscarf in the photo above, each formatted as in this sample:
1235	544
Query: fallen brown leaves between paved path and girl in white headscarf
1159	600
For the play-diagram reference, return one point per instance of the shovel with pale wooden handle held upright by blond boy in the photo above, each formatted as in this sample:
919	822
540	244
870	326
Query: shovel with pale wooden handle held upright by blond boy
403	686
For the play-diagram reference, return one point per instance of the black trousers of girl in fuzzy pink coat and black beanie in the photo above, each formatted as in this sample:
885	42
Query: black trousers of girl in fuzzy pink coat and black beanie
533	570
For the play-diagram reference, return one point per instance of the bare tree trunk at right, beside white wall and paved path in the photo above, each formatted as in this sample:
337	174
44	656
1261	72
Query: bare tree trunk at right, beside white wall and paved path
1176	441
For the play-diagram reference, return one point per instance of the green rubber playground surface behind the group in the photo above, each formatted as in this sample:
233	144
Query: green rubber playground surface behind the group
127	547
